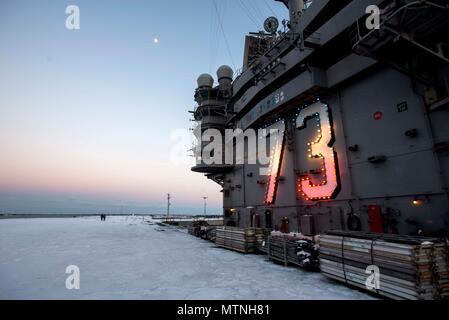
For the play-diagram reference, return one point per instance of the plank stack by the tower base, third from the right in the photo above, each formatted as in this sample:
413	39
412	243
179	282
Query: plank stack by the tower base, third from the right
244	240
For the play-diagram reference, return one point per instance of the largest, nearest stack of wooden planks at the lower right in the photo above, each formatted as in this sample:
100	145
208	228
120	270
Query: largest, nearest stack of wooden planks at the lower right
412	268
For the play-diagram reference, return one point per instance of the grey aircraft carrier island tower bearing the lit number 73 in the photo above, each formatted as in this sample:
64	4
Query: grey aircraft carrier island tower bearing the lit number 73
355	95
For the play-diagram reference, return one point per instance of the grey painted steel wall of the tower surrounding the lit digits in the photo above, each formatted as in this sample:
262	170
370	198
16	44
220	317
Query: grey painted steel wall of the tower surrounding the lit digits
410	137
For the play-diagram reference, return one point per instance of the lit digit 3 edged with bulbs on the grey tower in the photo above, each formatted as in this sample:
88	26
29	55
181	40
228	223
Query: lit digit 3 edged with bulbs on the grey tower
320	148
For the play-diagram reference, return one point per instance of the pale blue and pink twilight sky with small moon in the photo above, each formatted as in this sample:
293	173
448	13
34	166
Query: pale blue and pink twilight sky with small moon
87	116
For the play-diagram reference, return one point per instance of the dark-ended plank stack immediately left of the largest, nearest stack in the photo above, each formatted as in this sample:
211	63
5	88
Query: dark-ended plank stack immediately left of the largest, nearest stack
292	249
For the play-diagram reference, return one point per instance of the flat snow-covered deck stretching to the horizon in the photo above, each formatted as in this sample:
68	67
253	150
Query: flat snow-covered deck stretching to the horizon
126	258
